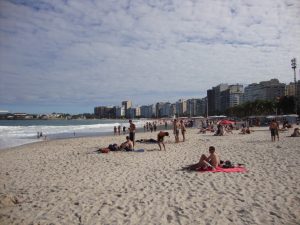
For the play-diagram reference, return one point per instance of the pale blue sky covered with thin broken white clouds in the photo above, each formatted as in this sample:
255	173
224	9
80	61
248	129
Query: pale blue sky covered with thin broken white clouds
70	56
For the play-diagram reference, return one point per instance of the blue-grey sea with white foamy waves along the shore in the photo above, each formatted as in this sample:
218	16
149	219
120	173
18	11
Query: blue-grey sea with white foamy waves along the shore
18	132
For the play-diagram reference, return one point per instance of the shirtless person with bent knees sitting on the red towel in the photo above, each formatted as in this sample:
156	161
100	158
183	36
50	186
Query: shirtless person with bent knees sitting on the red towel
205	162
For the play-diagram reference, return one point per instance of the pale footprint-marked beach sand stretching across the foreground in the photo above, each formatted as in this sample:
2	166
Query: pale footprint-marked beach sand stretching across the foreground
66	182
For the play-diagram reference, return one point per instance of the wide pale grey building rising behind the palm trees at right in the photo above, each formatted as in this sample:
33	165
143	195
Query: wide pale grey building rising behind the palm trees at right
265	90
